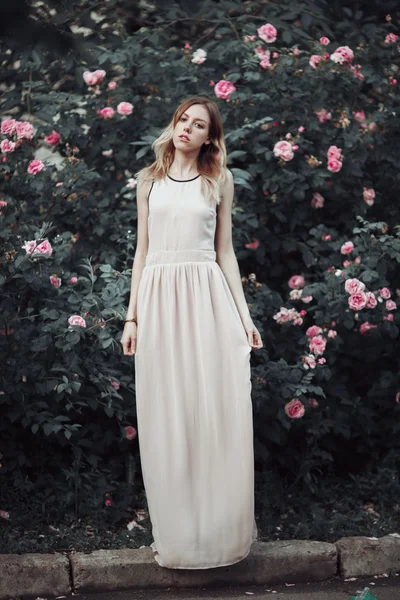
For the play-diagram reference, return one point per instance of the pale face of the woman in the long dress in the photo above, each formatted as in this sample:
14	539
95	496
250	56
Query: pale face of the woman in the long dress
192	128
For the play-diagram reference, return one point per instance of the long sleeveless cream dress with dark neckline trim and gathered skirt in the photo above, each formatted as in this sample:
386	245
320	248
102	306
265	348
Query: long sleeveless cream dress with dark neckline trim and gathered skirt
193	389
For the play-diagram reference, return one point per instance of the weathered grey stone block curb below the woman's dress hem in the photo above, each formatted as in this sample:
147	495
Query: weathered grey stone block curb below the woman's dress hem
286	561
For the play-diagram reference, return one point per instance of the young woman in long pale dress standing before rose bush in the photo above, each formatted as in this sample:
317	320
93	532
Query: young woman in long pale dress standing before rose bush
189	327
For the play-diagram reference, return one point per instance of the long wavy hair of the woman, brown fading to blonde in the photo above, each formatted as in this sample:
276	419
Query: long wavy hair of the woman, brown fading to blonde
211	161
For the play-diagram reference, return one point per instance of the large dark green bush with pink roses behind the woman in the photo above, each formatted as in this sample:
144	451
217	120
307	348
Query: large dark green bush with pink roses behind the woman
309	108
